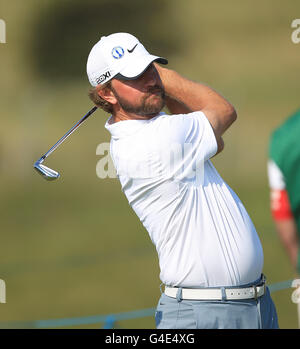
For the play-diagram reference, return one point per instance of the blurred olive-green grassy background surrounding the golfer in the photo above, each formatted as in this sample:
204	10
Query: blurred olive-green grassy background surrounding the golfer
68	247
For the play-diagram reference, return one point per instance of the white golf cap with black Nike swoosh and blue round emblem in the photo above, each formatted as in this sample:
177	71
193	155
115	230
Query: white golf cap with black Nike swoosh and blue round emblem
119	55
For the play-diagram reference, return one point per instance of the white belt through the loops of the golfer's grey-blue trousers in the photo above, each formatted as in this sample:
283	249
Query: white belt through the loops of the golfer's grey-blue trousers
252	292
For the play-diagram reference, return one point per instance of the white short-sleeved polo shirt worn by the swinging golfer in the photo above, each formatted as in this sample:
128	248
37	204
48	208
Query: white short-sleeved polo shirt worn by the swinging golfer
201	230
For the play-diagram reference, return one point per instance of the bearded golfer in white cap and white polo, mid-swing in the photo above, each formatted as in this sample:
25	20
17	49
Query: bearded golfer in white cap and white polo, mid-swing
210	255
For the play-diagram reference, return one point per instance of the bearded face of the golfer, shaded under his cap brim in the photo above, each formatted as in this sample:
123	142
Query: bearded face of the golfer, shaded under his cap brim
144	96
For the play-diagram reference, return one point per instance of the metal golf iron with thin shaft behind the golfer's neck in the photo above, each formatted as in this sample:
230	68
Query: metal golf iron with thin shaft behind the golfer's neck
47	172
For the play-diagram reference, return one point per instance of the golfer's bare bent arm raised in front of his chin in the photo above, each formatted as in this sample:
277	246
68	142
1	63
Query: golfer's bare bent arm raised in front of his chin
197	96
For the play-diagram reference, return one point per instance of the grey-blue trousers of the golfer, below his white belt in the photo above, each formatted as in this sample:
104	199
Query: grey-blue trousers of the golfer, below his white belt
238	314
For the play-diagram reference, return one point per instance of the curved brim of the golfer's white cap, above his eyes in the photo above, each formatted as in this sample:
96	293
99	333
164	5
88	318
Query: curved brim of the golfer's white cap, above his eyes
140	66
